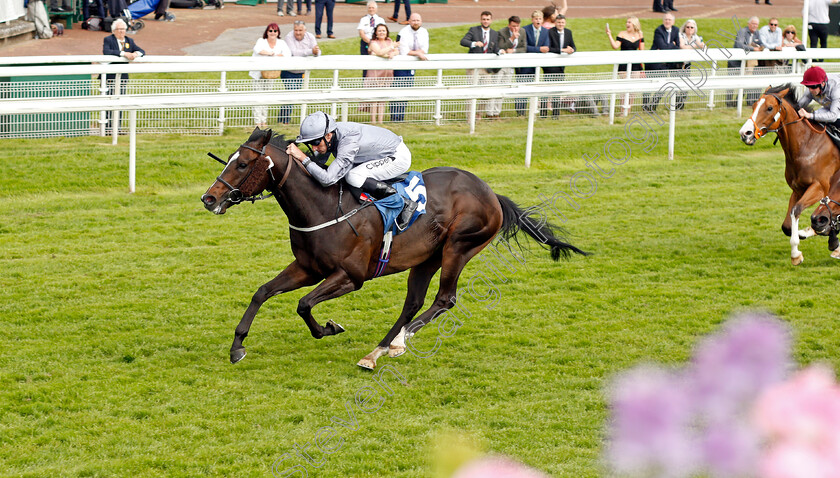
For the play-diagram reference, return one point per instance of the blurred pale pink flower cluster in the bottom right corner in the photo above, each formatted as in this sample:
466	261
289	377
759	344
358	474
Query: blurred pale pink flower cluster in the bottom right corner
801	421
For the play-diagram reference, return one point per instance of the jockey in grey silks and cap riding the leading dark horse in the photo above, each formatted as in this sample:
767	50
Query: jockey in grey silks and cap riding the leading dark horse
364	156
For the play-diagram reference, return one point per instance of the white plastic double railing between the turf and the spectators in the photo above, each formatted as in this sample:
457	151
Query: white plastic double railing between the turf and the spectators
702	78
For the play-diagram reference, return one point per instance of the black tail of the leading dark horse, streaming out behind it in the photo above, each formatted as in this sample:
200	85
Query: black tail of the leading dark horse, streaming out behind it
514	219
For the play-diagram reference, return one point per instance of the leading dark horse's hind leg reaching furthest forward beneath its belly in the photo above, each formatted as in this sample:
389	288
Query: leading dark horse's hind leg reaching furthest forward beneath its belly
394	341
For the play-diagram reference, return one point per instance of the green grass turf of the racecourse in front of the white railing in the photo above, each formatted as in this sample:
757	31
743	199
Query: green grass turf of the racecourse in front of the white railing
118	309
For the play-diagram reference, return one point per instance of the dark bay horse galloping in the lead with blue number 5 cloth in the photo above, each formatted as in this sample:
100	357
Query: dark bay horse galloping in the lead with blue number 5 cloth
463	215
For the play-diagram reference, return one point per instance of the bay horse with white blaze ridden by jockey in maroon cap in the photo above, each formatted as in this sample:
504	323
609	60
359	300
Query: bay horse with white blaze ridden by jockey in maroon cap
811	158
